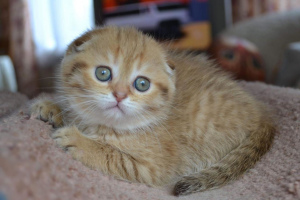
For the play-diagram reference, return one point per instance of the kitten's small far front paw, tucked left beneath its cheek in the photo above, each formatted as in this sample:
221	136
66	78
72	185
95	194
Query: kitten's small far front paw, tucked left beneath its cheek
47	111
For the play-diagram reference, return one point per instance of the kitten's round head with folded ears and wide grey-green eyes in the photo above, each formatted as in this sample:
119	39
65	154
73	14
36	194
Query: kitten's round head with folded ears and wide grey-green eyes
117	77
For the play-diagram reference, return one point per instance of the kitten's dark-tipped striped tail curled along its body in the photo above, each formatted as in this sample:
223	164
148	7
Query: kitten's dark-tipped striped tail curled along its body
233	165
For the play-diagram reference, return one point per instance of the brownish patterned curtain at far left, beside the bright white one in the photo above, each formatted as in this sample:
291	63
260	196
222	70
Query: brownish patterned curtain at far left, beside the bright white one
16	41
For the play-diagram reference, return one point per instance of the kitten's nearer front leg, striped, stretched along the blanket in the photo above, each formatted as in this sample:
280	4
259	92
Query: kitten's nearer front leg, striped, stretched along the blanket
98	155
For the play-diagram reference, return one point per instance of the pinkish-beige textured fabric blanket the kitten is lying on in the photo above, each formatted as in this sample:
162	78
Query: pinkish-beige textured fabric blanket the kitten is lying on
31	167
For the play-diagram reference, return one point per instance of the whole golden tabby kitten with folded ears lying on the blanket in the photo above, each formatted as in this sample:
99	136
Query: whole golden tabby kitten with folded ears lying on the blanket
135	110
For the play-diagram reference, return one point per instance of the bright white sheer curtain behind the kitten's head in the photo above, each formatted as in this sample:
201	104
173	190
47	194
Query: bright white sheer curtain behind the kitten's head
55	23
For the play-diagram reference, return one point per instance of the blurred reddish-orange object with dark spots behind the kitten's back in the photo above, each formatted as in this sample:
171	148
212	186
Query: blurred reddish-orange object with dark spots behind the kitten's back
240	57
